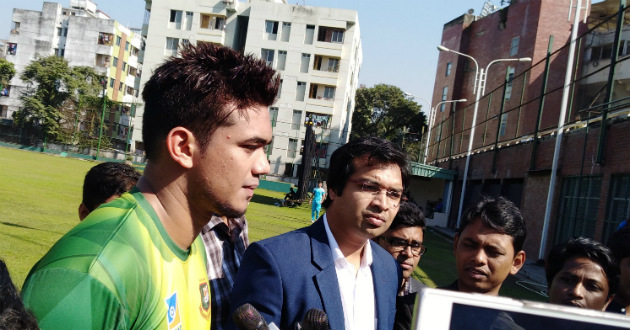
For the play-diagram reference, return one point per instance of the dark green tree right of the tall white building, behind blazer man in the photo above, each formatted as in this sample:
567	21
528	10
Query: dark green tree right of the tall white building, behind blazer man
385	111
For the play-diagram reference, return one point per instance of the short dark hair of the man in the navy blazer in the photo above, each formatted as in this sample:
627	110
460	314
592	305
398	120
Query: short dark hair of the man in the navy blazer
376	149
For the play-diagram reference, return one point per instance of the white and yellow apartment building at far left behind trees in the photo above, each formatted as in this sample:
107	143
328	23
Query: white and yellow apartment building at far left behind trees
84	36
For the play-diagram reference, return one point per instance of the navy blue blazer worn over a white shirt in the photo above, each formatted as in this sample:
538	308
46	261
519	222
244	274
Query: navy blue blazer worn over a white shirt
286	275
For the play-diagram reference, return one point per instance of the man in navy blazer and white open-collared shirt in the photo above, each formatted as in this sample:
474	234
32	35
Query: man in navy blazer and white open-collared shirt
333	265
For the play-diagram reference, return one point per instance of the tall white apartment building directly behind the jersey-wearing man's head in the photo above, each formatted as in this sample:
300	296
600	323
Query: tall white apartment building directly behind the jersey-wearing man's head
316	50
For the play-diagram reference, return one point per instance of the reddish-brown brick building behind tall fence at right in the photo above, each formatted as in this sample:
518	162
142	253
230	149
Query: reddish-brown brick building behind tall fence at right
514	151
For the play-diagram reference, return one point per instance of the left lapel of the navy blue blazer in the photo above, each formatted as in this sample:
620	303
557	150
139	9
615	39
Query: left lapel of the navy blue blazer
326	280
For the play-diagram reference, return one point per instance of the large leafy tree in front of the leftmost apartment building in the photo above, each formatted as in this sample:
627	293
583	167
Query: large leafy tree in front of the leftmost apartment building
53	94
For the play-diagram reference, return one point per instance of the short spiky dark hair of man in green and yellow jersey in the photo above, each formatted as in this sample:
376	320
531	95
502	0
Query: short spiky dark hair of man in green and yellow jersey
195	90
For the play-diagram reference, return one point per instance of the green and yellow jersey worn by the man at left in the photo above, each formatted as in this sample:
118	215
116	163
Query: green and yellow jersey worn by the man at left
119	269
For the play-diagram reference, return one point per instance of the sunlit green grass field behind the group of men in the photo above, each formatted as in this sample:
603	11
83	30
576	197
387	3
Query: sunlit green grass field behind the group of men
41	194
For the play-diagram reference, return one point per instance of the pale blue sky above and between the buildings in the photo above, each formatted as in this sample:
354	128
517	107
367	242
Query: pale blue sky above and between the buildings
399	37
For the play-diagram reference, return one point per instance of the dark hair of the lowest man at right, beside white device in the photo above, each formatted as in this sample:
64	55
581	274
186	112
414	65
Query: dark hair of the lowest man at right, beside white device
586	248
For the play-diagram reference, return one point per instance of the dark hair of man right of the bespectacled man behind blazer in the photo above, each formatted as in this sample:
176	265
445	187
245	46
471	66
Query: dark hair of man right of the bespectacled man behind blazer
499	214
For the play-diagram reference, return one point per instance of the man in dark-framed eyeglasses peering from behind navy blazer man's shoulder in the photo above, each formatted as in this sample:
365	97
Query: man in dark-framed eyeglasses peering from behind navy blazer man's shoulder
403	240
